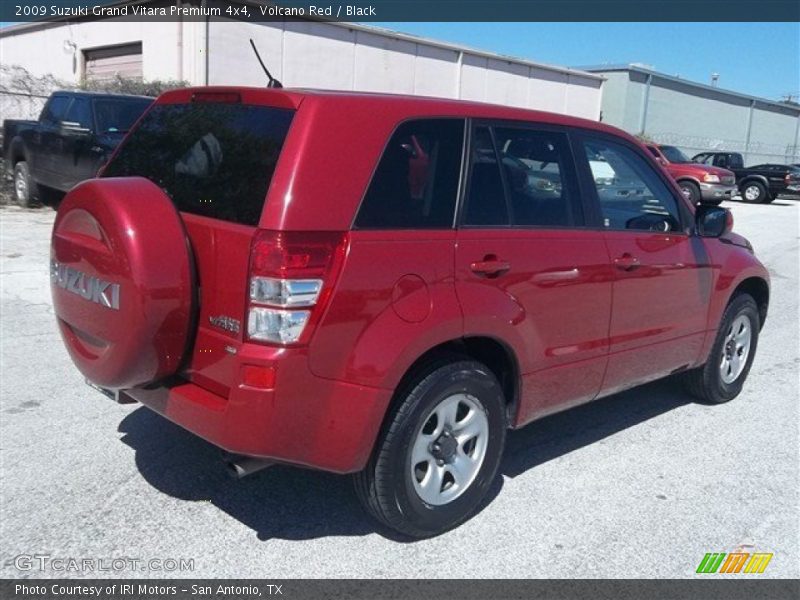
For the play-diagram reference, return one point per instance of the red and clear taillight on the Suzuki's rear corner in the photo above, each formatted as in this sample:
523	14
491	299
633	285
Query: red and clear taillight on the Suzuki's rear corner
291	278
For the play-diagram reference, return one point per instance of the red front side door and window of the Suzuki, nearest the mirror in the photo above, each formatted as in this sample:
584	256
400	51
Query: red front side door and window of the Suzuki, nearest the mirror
662	276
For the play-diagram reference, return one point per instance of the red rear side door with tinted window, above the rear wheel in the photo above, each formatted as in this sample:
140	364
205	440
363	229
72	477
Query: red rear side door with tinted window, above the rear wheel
527	270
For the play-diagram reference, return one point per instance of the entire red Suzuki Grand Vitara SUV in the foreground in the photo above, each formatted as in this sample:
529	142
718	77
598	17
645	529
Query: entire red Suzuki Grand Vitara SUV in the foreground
383	285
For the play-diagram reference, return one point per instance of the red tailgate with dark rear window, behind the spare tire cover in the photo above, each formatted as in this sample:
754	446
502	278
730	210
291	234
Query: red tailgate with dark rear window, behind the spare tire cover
215	159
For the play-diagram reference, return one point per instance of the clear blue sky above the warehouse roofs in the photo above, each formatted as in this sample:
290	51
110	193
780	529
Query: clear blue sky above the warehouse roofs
760	59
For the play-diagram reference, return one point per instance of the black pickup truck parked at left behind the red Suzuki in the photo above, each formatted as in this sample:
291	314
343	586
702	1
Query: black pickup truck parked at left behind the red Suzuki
74	136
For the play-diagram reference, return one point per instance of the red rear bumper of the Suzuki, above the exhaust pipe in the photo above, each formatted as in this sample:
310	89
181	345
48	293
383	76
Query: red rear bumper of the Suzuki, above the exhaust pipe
305	420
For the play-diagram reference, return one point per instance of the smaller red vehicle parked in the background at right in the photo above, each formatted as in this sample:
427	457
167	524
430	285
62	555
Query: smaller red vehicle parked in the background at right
699	183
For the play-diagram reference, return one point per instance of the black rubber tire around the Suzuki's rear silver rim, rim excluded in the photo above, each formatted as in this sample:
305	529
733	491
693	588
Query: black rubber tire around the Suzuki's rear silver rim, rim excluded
385	486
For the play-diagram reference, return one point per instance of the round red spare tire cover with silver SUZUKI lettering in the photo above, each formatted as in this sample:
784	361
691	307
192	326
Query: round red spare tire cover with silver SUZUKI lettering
122	281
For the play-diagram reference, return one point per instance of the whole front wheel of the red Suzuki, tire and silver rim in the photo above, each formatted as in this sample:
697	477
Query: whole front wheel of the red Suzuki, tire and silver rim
722	377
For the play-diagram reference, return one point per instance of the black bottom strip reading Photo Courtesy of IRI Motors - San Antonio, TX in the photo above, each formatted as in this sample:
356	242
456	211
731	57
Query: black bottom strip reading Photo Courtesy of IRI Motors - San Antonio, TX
711	588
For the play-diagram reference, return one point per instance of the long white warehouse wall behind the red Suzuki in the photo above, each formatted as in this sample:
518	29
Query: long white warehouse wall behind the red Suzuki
305	54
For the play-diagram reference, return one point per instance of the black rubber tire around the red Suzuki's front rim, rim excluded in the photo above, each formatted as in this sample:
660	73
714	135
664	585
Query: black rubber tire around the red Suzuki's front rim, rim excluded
706	383
